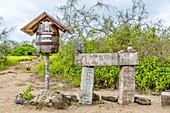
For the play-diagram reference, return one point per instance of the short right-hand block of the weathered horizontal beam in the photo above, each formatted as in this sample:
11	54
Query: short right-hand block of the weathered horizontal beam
128	59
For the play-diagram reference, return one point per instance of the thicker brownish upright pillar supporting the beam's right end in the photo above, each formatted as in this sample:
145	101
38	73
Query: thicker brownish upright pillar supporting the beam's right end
126	90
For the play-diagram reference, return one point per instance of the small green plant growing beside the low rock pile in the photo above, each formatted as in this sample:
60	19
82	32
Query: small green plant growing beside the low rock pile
27	93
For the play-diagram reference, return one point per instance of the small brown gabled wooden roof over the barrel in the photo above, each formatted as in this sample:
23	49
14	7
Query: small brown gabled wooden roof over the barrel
32	27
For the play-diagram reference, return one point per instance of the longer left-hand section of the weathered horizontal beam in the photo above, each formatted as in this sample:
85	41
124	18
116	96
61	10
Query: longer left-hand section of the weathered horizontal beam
96	59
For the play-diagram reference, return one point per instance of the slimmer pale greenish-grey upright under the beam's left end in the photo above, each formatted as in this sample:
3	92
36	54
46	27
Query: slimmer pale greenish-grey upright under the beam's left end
86	86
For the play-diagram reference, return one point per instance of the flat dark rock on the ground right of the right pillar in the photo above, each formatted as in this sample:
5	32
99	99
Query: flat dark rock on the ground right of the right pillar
142	101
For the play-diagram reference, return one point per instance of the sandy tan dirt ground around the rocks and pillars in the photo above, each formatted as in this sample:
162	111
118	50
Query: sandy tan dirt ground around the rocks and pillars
13	81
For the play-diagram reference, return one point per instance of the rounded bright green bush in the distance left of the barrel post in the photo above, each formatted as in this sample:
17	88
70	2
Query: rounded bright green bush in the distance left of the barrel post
23	50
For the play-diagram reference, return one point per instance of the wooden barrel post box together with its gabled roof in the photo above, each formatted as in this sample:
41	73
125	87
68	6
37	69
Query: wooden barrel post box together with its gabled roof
47	33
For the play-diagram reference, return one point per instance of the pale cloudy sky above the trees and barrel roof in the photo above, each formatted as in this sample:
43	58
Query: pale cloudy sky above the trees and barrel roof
18	13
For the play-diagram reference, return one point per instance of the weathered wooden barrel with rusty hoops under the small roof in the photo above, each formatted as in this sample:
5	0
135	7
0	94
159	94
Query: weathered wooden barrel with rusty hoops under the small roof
47	42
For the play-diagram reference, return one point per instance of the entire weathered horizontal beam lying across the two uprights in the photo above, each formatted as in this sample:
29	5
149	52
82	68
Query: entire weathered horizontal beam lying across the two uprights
106	59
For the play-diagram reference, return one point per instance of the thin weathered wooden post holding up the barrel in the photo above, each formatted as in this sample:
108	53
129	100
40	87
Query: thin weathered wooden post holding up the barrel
47	75
